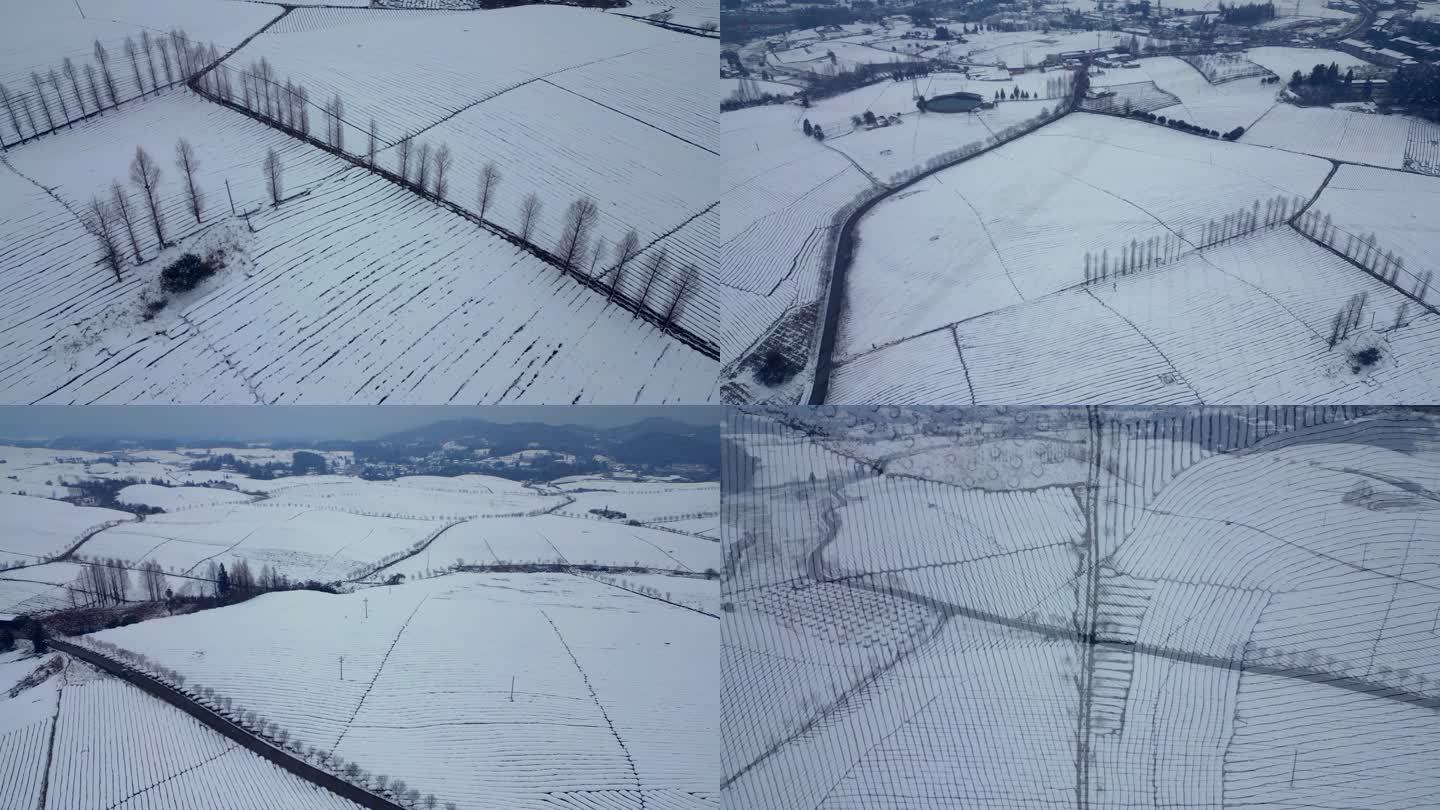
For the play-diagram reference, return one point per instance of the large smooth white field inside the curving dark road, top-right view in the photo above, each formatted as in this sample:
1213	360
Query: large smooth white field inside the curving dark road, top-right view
1016	224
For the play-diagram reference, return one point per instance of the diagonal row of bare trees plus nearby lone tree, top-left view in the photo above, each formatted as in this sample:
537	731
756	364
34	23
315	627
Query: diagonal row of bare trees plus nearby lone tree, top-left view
426	168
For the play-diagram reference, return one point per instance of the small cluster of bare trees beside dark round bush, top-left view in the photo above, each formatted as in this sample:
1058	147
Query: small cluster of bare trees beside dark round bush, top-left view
114	220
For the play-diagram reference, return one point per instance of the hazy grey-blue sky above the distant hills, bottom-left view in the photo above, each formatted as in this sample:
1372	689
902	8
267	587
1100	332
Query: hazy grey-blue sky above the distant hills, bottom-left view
309	422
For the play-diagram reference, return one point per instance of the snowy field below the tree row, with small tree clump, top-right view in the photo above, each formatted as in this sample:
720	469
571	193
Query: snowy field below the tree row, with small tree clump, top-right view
1248	321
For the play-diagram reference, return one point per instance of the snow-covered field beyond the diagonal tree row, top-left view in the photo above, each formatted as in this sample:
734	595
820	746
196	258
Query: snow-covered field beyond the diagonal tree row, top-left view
567	103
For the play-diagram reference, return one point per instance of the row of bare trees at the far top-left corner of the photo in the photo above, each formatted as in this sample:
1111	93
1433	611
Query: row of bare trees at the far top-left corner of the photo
61	97
